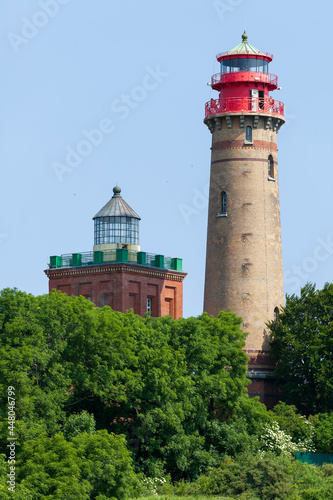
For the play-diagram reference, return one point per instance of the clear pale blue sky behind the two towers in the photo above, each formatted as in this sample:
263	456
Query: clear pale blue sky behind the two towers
138	72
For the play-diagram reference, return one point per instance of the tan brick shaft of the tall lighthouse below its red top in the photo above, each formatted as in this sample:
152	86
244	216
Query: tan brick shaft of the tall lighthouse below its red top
244	258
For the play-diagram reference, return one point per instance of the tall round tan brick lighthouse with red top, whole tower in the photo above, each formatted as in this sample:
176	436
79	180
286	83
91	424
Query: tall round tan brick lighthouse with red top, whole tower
244	258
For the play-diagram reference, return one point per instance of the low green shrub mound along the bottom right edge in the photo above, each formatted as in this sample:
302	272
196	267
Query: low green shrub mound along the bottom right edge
266	478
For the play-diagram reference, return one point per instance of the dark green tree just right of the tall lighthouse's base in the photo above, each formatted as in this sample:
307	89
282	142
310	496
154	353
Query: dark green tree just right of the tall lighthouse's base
302	345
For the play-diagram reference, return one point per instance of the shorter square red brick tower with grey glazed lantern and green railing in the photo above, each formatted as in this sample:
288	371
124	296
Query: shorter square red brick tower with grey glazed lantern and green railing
117	273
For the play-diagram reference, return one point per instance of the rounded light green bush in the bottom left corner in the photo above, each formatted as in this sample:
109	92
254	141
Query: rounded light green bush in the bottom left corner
85	467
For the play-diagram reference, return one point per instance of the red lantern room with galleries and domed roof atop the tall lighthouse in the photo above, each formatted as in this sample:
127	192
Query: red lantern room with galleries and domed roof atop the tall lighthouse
244	82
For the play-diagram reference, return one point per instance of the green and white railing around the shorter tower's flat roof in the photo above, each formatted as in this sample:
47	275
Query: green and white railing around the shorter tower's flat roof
116	256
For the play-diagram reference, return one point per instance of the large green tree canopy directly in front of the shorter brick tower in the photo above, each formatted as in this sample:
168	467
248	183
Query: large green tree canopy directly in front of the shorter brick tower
158	381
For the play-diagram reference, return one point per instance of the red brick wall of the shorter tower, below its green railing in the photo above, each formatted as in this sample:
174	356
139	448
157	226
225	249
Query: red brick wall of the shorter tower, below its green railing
123	287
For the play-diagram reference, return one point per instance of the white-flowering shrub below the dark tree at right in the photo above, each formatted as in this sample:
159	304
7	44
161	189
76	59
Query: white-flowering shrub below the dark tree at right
276	440
